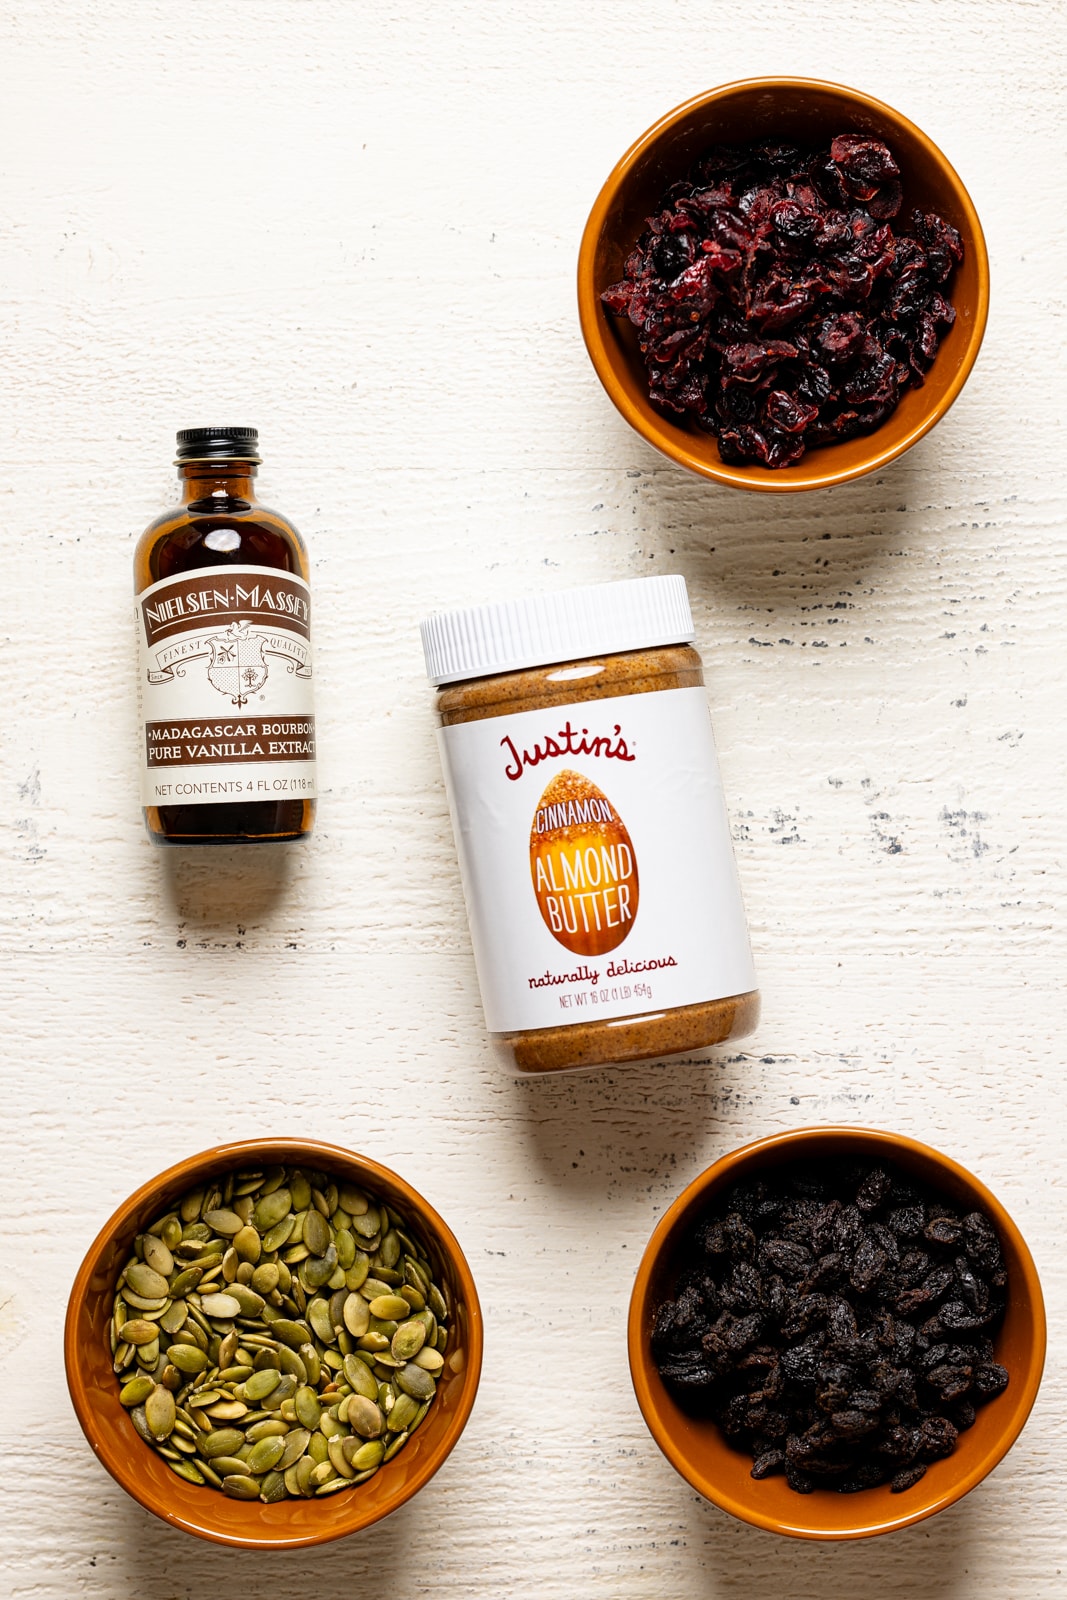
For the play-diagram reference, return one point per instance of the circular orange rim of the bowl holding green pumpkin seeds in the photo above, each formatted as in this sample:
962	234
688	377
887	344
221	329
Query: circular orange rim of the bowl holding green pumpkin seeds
306	1153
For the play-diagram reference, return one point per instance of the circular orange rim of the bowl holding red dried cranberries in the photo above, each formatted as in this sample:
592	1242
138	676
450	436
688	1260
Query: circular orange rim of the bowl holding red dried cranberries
594	327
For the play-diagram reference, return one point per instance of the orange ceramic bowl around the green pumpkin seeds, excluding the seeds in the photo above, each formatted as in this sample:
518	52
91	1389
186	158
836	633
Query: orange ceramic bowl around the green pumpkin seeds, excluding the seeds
206	1511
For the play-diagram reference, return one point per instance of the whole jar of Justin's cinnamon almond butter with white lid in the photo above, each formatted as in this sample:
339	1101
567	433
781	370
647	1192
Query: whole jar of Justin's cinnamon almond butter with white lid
593	834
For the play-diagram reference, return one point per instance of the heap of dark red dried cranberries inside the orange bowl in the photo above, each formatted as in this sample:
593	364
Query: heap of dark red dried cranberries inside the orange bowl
770	239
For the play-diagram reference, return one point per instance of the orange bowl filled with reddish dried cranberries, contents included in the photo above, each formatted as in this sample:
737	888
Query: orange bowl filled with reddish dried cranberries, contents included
783	286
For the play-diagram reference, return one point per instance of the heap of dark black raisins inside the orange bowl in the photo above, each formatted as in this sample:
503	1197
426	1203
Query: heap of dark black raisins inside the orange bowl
770	1335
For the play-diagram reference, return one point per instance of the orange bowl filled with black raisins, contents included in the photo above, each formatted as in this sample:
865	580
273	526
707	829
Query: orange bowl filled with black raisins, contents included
836	1334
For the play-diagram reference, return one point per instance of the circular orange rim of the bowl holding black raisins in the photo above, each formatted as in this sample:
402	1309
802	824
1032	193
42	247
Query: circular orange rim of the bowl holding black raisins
793	1143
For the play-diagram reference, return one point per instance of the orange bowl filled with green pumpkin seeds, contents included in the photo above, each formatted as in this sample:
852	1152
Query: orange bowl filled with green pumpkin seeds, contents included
274	1343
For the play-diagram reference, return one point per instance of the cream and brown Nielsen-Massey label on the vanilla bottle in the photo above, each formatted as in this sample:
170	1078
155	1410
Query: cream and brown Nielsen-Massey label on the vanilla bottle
226	687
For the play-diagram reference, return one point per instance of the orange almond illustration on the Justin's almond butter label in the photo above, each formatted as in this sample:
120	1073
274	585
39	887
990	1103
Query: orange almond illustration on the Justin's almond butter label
583	866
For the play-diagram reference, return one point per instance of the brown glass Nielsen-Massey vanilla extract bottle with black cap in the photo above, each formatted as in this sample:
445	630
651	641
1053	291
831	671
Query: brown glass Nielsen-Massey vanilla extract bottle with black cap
226	676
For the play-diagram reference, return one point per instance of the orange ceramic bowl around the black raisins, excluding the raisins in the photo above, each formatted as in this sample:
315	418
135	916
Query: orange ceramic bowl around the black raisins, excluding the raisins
721	1473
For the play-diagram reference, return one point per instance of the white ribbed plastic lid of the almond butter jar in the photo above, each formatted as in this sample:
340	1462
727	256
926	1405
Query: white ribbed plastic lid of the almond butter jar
599	620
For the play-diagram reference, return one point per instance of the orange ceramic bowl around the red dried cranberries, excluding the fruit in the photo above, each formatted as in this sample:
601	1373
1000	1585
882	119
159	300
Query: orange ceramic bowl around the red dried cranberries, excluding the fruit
809	113
